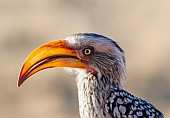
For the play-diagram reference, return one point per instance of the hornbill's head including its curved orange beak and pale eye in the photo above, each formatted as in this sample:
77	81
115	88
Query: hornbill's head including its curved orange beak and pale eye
85	52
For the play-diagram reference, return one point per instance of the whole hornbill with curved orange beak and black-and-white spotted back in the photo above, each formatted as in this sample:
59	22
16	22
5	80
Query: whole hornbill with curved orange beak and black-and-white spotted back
99	65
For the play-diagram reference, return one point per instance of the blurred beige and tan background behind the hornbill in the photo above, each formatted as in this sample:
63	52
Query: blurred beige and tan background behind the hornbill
142	29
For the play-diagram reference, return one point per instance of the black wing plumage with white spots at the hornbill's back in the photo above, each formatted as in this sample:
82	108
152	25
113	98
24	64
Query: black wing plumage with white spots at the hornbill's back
121	104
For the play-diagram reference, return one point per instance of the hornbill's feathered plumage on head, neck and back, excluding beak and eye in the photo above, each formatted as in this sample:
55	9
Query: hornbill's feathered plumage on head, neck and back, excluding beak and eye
101	94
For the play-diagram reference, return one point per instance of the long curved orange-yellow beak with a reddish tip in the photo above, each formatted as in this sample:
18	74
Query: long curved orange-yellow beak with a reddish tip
49	55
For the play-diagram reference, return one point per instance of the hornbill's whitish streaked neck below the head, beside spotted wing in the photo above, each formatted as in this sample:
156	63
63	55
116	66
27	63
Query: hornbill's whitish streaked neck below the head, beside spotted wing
92	93
